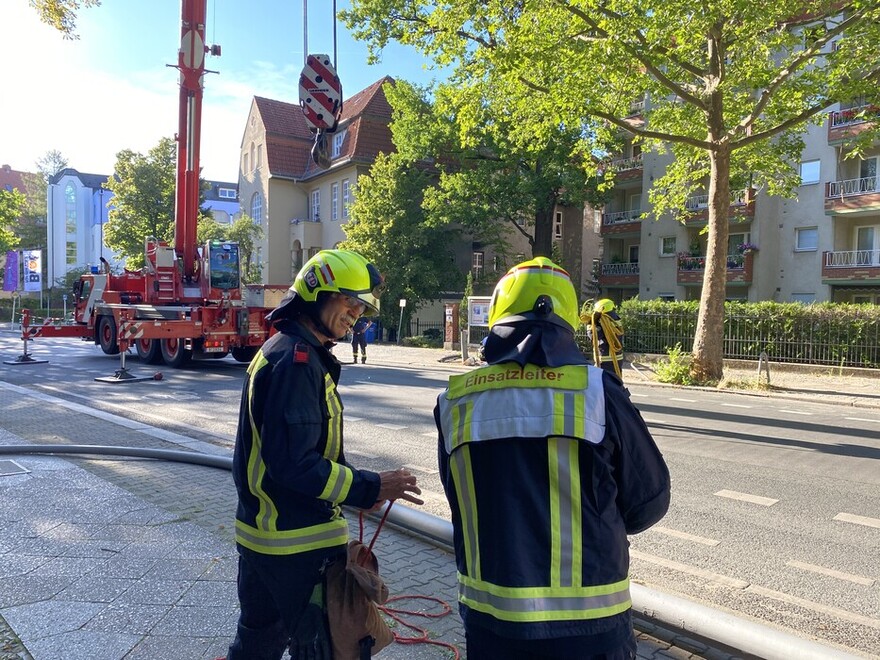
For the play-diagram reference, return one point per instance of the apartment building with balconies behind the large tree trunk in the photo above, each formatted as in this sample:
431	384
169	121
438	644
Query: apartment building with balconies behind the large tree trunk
822	245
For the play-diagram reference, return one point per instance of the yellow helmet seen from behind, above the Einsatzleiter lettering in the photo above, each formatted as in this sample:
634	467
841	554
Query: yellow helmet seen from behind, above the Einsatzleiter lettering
536	290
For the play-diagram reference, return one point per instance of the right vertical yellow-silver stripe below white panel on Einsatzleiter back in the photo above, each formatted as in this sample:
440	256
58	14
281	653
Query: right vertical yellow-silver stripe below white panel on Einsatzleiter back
566	550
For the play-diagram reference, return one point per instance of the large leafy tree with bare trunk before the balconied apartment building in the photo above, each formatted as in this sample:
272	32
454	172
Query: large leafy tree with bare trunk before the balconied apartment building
729	87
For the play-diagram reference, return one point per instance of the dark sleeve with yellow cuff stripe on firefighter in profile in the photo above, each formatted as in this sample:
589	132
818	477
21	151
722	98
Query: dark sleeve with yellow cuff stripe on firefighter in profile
292	429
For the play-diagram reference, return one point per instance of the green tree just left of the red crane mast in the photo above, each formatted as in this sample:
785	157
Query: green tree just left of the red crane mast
144	200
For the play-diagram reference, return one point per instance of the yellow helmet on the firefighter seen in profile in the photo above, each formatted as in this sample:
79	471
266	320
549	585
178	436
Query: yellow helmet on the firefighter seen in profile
340	271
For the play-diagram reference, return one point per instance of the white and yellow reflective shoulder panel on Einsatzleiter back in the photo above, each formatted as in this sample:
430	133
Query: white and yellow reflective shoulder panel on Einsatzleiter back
482	412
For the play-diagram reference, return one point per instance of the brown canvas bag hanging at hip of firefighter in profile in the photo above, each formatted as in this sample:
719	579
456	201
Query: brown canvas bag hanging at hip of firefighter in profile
354	588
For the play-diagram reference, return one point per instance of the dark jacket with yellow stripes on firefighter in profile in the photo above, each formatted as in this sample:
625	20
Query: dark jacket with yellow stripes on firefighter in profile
289	466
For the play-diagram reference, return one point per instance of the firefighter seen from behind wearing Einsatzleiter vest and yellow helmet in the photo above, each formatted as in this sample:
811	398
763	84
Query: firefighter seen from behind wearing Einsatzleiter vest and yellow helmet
547	467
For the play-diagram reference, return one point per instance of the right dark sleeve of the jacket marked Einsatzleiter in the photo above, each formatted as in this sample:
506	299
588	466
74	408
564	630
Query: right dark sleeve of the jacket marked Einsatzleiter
642	476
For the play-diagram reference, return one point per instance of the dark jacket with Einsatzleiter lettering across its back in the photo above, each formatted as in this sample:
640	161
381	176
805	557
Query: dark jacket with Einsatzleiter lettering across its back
547	469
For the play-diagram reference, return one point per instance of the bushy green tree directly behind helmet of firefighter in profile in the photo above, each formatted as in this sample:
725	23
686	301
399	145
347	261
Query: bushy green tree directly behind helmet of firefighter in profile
388	227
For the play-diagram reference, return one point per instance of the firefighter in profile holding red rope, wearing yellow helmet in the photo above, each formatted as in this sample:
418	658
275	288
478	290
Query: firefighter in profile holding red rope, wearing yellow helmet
289	464
